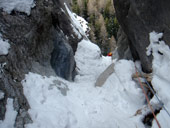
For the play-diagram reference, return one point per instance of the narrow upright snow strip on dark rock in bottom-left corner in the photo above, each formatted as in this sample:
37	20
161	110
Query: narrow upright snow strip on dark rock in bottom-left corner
10	115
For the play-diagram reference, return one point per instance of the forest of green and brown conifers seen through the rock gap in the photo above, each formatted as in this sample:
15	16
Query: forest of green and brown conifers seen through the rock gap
101	17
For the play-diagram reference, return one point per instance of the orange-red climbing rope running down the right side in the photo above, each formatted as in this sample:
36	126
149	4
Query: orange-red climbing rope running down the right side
147	98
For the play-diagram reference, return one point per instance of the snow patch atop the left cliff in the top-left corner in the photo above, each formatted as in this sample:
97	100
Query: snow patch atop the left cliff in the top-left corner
17	5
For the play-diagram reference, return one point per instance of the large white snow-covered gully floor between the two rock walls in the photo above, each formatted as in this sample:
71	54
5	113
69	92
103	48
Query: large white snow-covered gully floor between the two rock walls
84	106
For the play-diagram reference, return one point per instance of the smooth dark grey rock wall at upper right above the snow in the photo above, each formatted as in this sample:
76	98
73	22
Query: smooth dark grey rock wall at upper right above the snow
140	17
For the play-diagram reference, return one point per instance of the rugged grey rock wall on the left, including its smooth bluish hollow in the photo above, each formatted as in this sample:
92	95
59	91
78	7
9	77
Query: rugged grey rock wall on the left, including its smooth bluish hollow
43	42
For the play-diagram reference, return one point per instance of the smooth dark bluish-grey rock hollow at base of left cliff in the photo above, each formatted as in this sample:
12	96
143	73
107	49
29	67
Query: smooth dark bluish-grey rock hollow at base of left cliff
63	57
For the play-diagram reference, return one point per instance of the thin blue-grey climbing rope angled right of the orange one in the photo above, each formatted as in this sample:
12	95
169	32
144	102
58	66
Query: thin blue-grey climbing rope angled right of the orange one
154	93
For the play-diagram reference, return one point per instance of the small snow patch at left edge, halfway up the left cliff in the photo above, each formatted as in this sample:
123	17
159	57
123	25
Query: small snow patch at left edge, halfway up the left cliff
4	46
